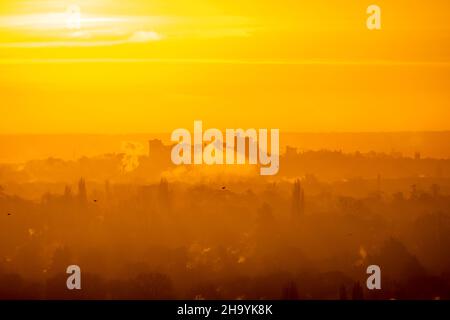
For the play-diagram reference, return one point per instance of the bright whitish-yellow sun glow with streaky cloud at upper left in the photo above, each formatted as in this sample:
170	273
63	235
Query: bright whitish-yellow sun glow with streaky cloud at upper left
49	28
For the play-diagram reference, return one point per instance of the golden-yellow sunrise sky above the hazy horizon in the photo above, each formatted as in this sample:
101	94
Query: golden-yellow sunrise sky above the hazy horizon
103	66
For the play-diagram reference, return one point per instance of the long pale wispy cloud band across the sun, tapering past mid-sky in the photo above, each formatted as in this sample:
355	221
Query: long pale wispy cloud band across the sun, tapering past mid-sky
50	30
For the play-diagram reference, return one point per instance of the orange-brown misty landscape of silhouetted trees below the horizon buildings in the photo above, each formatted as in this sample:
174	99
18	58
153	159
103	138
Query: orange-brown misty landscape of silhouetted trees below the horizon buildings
161	232
